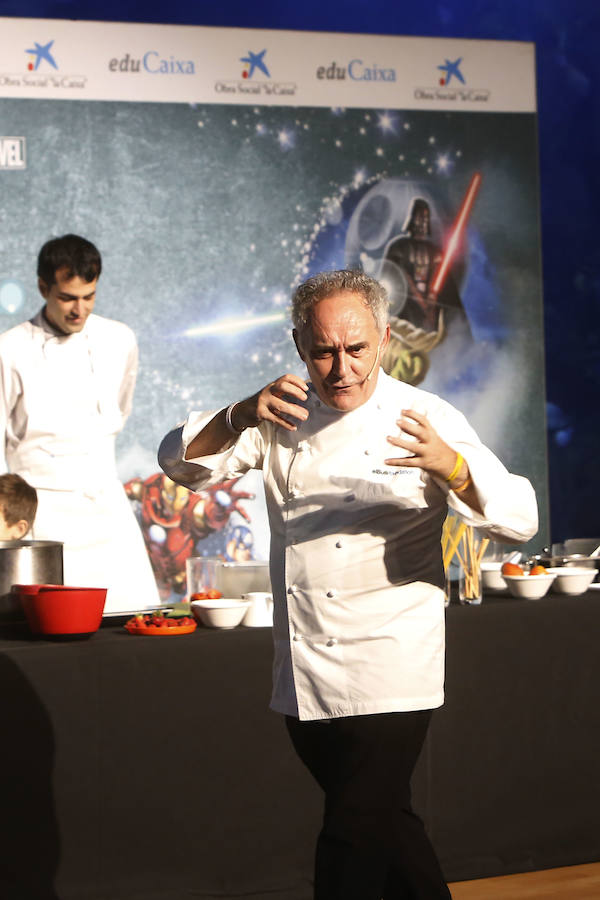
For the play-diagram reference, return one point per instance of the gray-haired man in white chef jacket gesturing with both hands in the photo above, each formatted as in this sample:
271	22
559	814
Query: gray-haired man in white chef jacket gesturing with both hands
359	470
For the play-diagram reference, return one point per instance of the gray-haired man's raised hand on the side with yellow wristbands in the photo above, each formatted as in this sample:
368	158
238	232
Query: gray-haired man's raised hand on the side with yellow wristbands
426	448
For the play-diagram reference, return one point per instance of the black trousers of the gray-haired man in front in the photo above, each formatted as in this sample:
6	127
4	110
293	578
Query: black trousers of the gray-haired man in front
372	846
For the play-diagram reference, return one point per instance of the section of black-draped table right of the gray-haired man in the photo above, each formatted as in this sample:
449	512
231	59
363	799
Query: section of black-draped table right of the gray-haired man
509	777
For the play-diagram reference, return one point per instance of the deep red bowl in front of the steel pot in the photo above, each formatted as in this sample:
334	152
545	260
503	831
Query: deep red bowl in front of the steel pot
61	609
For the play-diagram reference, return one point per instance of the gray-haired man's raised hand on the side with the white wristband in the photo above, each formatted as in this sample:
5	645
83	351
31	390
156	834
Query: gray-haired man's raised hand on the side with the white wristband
273	404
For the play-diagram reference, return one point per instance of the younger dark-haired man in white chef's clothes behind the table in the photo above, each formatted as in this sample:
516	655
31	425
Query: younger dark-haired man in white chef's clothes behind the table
67	379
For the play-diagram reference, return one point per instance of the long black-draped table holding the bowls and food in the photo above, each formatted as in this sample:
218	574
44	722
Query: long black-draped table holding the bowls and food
151	768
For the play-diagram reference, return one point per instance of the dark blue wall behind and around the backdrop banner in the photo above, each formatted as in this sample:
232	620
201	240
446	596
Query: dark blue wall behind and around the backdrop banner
566	36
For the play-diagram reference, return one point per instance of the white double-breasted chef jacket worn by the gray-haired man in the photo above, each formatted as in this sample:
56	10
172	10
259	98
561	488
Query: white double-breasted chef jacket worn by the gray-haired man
355	556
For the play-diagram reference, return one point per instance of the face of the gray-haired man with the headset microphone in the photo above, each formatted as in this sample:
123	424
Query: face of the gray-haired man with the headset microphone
342	347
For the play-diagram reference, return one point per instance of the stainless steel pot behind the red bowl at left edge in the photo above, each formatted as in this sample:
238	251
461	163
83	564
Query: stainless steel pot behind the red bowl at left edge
26	562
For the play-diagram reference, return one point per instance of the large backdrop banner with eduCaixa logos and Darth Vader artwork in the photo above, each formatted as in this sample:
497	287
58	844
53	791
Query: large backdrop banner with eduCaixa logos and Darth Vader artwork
217	168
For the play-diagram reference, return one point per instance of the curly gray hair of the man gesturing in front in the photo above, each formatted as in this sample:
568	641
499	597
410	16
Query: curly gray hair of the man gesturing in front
352	281
